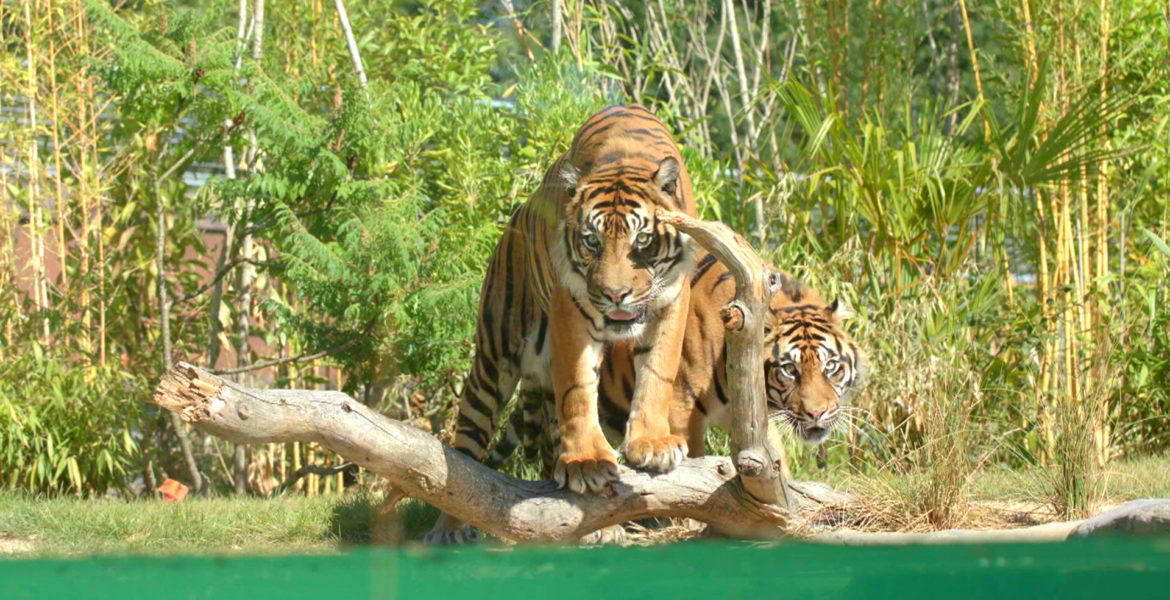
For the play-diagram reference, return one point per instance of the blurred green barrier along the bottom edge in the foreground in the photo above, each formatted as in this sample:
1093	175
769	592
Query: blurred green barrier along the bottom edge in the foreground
1105	570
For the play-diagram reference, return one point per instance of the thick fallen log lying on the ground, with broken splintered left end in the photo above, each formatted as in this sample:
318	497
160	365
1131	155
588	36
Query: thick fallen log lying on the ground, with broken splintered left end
422	467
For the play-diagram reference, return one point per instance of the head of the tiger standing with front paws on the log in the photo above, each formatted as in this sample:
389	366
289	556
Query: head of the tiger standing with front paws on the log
630	266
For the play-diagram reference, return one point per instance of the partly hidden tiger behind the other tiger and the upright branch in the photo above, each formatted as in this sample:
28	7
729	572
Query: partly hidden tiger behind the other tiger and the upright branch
811	367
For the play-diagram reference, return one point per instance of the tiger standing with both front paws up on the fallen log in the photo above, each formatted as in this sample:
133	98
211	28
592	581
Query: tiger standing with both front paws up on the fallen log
582	266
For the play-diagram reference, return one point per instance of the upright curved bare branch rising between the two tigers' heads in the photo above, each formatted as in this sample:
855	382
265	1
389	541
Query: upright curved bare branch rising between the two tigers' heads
745	318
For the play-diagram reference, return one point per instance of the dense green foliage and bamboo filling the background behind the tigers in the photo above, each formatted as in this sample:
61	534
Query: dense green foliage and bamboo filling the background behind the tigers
880	176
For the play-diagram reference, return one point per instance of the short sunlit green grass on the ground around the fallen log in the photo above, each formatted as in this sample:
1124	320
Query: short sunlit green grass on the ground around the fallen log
66	527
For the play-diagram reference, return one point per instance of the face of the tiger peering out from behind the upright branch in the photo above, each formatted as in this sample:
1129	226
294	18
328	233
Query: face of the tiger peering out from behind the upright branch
811	369
